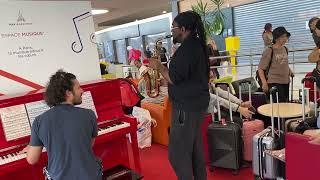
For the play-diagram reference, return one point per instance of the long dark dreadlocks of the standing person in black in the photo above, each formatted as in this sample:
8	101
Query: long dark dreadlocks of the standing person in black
191	21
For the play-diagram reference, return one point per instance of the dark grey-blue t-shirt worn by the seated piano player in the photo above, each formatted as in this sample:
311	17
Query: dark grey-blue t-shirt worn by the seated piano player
66	132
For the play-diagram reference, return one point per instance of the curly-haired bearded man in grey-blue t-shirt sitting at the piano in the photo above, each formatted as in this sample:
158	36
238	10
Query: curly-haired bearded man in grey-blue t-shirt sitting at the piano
67	132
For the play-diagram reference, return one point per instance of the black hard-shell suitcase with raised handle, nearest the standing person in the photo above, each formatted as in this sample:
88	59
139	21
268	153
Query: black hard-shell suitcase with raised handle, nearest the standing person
224	141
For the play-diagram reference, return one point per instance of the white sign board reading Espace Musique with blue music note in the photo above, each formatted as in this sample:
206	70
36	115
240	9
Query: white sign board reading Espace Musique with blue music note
38	38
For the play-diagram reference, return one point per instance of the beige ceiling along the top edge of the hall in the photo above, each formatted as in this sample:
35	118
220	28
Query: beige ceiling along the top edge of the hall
125	11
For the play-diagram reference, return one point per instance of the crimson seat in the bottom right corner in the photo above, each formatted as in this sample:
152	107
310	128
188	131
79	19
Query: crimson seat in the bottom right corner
302	158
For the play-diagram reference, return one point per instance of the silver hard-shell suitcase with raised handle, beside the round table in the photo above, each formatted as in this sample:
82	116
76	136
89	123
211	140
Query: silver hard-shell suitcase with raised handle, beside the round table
265	166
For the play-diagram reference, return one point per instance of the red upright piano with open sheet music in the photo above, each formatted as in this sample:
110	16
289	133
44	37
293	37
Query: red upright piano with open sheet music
116	143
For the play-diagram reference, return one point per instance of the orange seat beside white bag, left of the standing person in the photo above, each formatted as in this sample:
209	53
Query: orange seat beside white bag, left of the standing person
162	114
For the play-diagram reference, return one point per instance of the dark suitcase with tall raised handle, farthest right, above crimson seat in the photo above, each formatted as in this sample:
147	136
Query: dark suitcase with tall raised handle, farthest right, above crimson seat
299	125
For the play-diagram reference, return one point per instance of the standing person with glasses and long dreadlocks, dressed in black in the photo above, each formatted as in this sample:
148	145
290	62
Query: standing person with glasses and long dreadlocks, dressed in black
188	77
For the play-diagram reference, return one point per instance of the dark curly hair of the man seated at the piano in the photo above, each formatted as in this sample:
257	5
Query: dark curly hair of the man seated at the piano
56	89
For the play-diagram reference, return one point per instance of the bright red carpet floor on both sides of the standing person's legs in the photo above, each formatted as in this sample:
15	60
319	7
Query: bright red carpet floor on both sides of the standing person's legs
156	166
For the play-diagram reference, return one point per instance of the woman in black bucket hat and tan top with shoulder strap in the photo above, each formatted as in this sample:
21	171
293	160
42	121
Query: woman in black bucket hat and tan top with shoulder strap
273	69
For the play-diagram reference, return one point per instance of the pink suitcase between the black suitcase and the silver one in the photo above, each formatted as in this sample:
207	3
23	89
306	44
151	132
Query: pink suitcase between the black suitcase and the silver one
250	128
